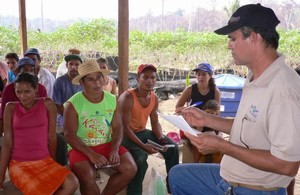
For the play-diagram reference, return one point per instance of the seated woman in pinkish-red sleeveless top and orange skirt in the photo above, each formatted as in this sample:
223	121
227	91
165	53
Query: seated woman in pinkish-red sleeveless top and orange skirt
30	143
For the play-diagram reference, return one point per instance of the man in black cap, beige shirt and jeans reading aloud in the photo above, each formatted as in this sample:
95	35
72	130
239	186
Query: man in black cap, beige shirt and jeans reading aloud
262	155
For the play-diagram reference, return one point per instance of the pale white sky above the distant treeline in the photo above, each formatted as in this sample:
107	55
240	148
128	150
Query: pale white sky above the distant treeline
89	9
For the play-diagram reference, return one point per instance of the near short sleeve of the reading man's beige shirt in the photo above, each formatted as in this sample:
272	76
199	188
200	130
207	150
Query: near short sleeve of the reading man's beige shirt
284	126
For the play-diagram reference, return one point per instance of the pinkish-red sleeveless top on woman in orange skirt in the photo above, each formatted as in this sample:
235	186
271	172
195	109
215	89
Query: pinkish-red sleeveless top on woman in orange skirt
30	132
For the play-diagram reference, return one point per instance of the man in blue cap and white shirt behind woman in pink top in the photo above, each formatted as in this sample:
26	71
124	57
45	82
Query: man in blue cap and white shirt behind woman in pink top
46	78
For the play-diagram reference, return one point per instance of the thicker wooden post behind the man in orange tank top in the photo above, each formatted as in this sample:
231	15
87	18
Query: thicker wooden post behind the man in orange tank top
123	34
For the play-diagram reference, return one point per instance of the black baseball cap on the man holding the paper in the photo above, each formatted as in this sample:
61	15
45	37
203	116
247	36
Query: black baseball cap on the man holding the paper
252	15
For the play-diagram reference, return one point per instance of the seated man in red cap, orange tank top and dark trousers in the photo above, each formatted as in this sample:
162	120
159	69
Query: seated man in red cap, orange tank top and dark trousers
136	106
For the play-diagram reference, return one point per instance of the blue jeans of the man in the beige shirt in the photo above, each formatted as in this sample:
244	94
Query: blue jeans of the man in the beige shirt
203	178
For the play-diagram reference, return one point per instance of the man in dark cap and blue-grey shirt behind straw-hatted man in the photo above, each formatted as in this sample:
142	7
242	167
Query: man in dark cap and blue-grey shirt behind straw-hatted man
63	87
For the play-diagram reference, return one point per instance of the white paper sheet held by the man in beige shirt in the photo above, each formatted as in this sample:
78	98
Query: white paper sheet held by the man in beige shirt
180	122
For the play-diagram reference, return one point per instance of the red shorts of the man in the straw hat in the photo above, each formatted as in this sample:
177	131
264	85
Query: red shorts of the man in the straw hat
103	149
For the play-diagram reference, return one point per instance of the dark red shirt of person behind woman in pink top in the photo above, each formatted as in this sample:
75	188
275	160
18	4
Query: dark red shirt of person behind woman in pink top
9	95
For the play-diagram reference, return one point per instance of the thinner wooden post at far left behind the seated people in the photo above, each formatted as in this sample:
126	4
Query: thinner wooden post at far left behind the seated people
23	26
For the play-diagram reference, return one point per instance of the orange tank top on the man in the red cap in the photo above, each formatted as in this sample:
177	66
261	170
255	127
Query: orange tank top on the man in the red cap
140	114
